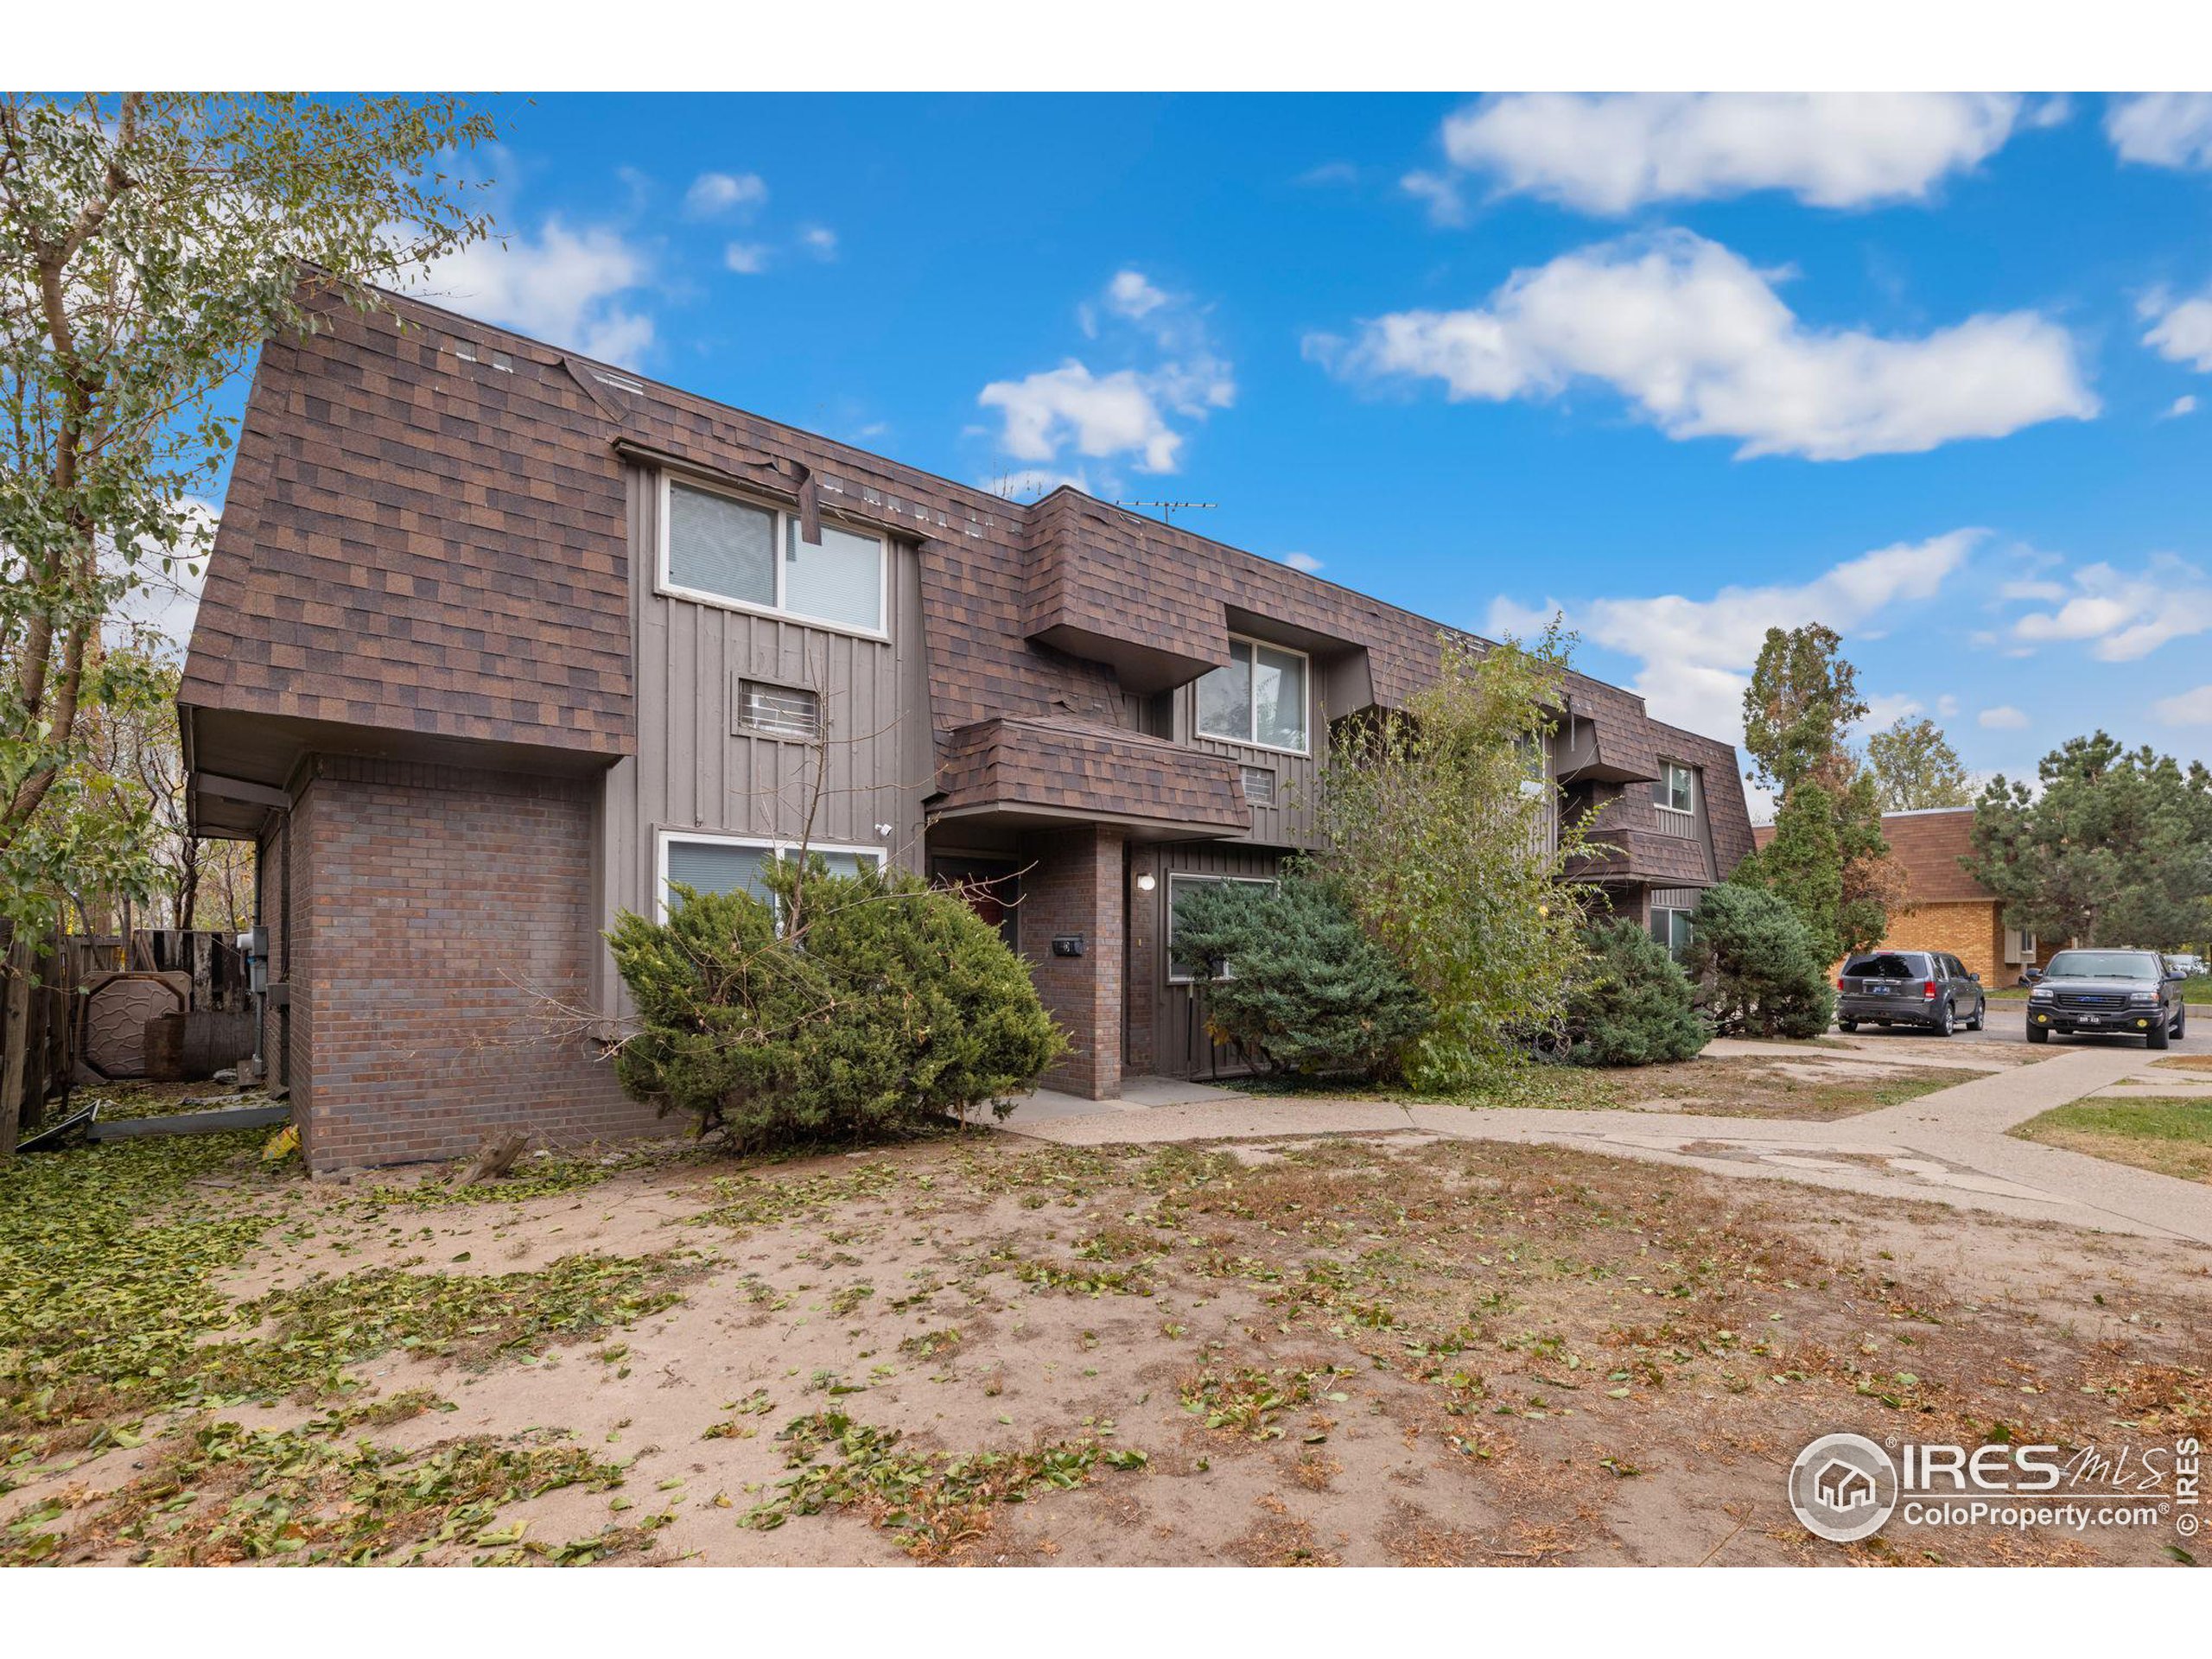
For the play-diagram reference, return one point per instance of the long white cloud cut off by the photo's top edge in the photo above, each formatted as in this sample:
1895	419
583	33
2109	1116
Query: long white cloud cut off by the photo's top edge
1618	152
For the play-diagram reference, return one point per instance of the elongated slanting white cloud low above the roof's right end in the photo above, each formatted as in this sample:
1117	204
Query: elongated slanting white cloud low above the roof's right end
1698	654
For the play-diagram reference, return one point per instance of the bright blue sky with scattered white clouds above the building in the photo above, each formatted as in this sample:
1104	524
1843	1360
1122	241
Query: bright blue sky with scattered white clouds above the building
1928	371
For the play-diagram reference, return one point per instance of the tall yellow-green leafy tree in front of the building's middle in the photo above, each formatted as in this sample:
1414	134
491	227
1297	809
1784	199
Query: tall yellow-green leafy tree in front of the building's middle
1443	837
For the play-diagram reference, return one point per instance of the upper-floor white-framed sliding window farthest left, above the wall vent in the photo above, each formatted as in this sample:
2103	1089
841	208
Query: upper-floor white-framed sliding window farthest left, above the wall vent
747	556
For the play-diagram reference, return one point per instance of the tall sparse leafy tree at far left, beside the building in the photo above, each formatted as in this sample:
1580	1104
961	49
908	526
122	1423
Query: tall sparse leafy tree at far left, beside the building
149	242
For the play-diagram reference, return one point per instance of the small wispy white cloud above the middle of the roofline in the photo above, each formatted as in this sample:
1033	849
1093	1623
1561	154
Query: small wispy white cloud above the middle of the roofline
1120	413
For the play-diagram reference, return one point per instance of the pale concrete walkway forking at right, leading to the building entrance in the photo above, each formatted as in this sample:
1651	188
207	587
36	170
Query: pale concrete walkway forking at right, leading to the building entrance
1950	1147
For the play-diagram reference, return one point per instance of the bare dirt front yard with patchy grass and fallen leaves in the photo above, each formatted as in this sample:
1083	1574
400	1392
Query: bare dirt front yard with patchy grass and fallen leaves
1379	1350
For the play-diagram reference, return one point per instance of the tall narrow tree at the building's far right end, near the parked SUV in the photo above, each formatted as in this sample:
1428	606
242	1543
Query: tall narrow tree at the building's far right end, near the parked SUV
1828	855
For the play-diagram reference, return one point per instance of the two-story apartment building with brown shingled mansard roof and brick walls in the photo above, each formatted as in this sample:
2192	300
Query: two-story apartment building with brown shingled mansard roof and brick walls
499	643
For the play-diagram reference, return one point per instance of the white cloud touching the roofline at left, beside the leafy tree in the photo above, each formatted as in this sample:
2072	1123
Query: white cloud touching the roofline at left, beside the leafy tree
567	289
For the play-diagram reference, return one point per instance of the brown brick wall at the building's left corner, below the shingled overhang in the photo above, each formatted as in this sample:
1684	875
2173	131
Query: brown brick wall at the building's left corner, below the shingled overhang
441	921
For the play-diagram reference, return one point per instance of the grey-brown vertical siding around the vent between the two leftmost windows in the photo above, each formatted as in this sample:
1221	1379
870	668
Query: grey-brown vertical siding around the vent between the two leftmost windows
702	771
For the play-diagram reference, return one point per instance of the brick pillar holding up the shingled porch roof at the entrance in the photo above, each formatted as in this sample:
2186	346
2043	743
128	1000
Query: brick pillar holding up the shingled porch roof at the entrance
1076	888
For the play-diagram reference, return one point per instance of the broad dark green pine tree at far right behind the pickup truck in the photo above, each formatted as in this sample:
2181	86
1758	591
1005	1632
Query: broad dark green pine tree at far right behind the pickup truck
2114	848
